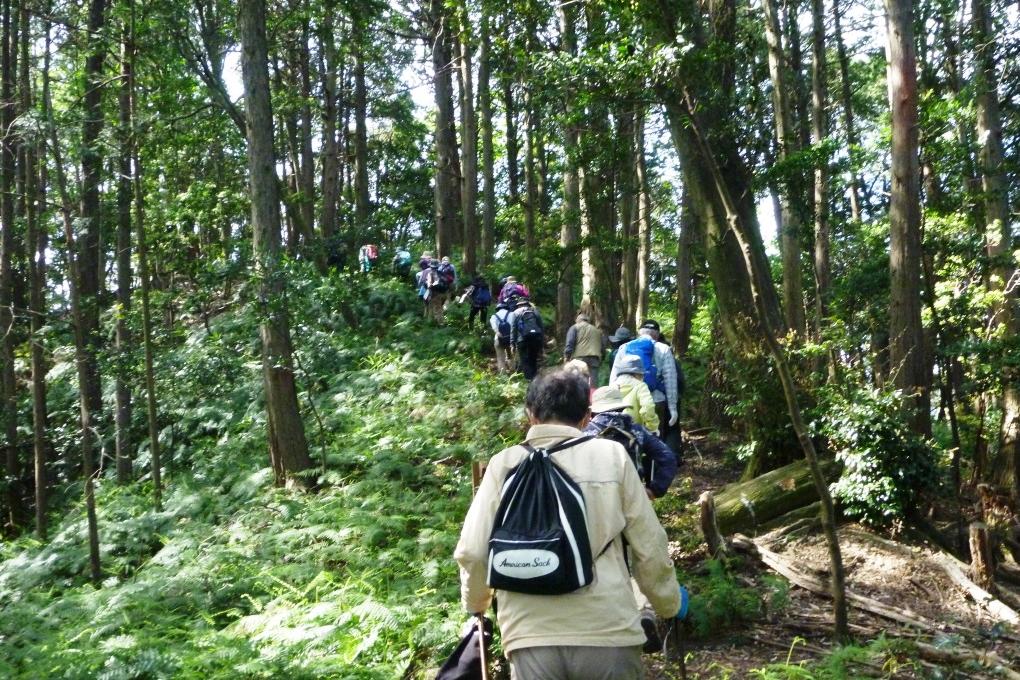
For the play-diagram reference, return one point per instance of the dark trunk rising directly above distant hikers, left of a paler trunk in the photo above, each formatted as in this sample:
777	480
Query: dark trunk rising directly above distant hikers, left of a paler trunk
447	180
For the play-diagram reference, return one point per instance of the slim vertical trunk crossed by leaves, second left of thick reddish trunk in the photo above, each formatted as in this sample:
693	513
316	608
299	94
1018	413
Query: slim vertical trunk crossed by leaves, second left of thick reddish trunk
820	131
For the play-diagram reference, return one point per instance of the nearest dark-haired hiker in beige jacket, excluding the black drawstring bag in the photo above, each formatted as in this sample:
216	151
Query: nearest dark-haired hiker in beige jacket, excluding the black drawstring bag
594	633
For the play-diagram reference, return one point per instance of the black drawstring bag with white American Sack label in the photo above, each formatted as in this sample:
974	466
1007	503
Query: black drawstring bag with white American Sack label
540	544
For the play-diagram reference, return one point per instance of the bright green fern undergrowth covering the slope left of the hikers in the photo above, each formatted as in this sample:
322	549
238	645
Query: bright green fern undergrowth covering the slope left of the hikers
236	579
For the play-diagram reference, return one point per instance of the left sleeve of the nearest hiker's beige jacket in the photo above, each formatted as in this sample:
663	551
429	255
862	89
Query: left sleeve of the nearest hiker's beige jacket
473	549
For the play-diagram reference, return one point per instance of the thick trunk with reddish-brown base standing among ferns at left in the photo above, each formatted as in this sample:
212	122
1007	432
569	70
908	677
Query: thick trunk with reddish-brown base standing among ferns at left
288	448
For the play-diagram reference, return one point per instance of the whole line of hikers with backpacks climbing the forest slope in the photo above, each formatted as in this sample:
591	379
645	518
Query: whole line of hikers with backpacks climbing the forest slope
562	529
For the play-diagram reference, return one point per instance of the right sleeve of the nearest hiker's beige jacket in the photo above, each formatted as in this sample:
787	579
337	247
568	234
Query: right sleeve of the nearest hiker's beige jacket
649	550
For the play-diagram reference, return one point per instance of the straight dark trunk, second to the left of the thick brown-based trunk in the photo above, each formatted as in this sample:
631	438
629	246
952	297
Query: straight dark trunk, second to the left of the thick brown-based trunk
123	339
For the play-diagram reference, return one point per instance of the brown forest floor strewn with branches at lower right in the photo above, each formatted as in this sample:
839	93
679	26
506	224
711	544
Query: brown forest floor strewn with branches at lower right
793	638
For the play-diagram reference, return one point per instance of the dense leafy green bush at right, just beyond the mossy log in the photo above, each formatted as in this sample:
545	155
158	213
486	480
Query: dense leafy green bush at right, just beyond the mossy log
887	467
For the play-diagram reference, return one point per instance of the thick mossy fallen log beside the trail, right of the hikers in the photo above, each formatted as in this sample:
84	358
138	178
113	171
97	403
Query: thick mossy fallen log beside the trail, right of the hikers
745	507
